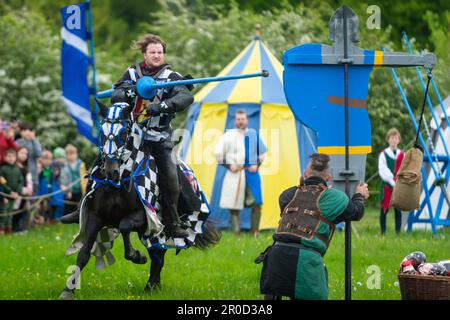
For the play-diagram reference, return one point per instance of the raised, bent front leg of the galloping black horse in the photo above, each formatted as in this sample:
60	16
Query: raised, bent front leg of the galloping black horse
132	222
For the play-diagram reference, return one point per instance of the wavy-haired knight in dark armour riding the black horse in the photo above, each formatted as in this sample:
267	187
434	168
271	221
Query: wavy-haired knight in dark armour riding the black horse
159	111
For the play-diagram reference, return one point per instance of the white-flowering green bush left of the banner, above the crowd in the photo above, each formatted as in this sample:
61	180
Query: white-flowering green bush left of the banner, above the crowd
30	79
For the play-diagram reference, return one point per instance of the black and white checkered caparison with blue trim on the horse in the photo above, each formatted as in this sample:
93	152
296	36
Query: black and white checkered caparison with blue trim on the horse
142	168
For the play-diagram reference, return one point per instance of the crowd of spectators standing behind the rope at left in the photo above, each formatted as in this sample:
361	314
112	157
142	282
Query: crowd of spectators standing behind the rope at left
37	185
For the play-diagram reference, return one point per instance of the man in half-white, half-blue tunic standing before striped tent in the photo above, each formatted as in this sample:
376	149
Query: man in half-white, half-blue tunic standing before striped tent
241	151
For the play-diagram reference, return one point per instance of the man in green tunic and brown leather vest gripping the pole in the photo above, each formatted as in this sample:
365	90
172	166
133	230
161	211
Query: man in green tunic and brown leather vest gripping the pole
293	265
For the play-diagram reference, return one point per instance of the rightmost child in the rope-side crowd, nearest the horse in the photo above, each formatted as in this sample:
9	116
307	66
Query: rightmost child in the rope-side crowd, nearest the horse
73	171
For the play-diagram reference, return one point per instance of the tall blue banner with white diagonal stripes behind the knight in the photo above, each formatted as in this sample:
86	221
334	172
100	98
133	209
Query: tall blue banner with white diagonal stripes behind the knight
74	67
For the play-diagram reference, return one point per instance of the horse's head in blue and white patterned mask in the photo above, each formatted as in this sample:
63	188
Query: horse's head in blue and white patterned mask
115	132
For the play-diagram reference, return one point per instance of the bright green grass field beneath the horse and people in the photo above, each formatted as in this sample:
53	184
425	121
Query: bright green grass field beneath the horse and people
33	266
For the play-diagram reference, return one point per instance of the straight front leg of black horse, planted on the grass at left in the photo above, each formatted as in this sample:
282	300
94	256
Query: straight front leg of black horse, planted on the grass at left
93	226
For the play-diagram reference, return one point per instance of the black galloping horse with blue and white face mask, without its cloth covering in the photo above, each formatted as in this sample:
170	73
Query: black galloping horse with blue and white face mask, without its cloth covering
121	208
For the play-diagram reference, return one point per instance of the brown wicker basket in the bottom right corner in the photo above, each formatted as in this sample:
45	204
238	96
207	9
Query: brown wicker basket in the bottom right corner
421	287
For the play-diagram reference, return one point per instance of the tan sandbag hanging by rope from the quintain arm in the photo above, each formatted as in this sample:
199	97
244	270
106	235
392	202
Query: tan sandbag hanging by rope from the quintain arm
406	193
